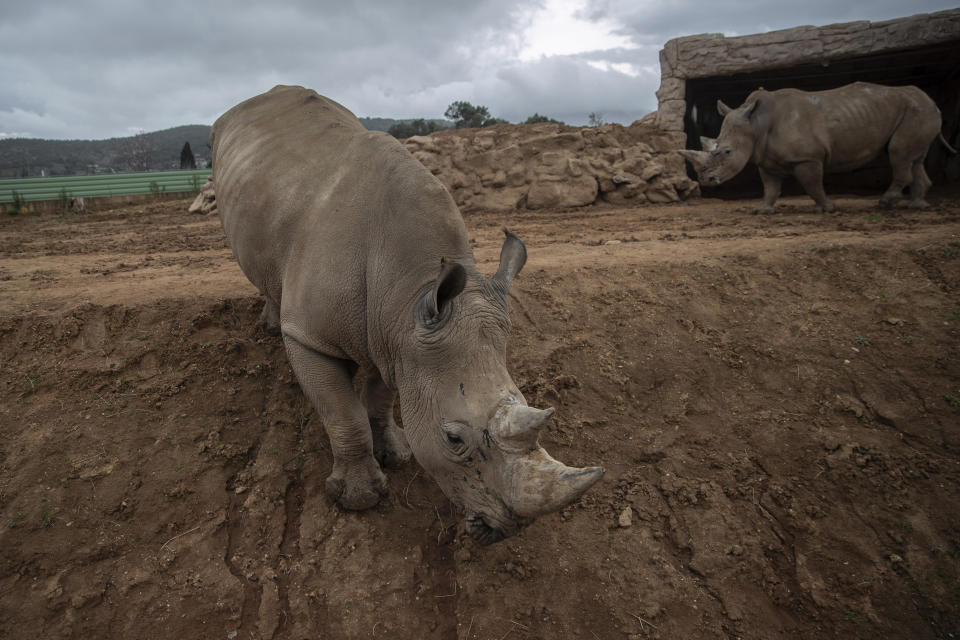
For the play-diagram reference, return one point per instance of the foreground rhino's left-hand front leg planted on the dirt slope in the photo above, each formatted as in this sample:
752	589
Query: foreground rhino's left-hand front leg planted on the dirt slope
356	481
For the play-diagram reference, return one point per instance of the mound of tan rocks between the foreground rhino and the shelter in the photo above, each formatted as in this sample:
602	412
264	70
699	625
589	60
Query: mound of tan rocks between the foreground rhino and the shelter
545	165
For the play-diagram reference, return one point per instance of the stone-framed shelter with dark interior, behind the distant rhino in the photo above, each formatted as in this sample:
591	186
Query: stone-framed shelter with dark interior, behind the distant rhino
921	50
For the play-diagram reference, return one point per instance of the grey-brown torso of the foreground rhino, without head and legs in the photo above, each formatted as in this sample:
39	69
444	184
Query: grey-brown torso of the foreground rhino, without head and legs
340	226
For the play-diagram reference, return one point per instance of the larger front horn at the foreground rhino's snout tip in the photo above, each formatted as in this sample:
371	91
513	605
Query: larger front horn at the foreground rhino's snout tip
541	485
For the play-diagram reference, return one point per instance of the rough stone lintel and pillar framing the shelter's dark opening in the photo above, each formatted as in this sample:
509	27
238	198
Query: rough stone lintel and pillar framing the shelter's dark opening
710	55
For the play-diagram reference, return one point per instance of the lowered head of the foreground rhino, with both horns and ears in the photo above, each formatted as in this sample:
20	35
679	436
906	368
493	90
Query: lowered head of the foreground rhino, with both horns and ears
465	420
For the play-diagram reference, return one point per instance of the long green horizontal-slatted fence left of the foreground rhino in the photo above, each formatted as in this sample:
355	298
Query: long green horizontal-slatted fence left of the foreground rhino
106	185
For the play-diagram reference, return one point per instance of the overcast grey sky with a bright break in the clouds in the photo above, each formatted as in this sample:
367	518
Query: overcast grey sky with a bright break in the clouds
77	69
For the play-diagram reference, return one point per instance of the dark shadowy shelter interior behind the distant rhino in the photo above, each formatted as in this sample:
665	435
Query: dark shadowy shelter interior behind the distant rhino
933	68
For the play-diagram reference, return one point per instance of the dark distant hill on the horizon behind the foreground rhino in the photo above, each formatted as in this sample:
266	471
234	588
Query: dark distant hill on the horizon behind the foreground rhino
155	151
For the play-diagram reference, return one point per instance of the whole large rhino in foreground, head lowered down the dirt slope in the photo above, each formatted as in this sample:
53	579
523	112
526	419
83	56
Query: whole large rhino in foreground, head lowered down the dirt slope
365	265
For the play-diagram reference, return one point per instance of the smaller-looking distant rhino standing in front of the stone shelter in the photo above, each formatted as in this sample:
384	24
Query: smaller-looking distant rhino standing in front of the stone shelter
806	134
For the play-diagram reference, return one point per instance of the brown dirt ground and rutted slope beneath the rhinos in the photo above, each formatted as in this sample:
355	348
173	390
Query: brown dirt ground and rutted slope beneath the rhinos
776	400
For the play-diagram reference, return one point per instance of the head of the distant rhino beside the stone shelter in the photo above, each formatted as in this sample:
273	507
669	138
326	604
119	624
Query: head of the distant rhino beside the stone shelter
725	156
